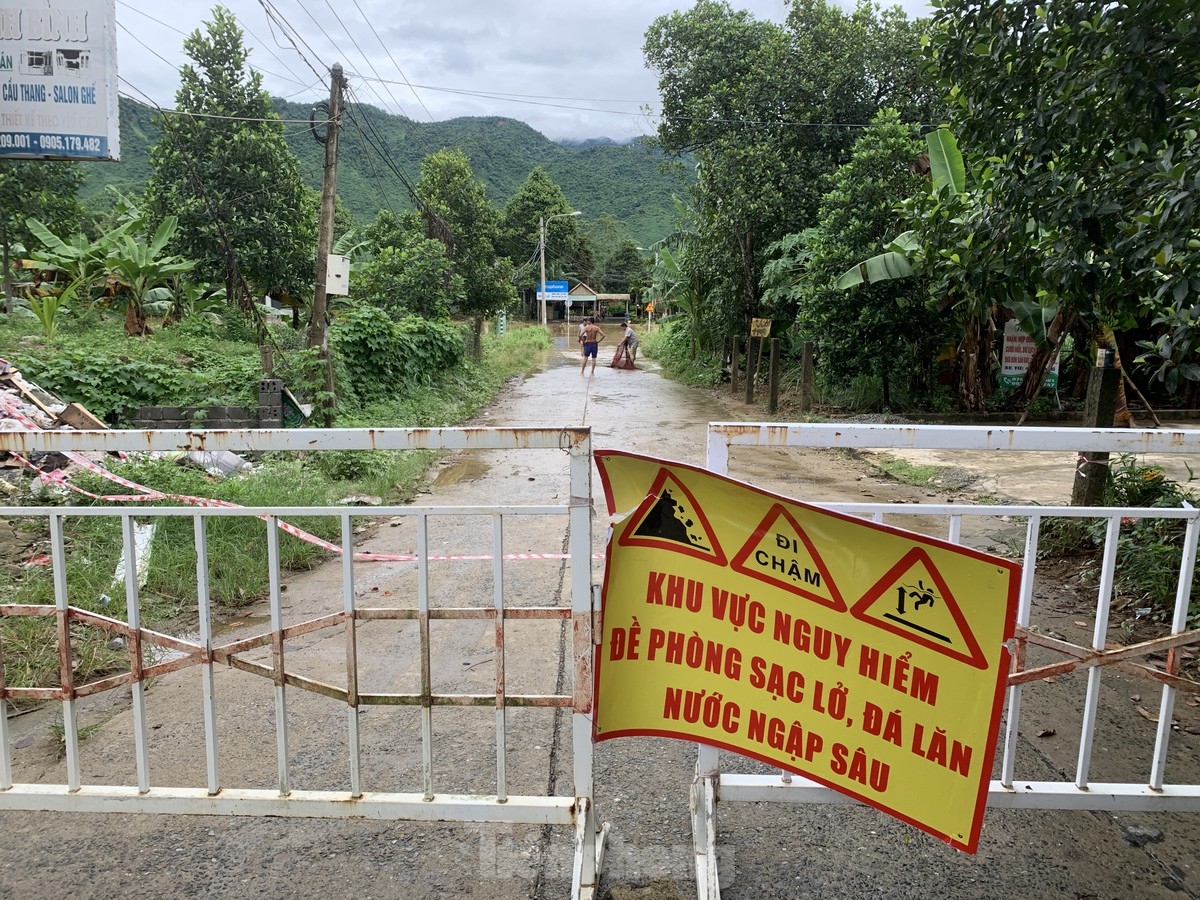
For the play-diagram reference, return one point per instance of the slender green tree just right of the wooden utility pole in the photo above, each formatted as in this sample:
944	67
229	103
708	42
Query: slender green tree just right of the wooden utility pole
449	191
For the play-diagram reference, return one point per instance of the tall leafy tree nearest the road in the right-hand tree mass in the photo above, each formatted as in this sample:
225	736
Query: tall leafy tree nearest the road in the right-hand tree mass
765	110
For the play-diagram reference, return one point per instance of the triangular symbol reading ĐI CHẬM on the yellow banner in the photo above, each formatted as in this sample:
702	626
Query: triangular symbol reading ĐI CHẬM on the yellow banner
781	554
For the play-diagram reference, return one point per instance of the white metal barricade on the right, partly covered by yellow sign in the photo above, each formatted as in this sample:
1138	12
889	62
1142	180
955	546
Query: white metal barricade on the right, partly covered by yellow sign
712	785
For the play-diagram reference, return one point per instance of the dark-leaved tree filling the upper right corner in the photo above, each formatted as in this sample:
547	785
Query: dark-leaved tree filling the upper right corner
1078	122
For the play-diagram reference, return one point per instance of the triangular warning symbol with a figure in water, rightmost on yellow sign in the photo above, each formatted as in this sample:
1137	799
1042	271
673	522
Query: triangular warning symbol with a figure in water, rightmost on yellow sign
913	601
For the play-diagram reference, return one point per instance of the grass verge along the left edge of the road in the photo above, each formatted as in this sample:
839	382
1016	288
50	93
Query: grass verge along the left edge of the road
238	568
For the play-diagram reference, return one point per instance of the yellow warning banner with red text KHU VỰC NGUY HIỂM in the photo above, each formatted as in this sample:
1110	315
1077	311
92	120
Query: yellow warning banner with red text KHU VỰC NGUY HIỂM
867	658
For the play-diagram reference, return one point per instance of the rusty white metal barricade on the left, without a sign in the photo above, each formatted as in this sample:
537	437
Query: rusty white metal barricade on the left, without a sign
153	655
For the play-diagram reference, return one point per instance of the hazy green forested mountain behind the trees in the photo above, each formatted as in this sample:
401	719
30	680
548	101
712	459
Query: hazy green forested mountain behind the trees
598	177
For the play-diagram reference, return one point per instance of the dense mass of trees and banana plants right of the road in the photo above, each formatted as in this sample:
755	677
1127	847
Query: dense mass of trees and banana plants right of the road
1057	194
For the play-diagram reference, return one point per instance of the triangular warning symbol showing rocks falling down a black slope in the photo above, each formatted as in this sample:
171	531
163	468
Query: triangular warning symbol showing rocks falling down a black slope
671	519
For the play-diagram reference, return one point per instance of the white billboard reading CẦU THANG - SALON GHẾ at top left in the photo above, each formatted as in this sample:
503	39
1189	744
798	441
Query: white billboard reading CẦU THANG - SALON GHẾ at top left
58	82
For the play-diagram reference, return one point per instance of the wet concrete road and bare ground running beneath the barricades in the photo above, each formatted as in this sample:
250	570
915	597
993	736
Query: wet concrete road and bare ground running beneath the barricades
641	784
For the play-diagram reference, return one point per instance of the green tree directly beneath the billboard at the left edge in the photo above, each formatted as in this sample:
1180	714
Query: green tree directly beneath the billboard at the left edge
43	191
